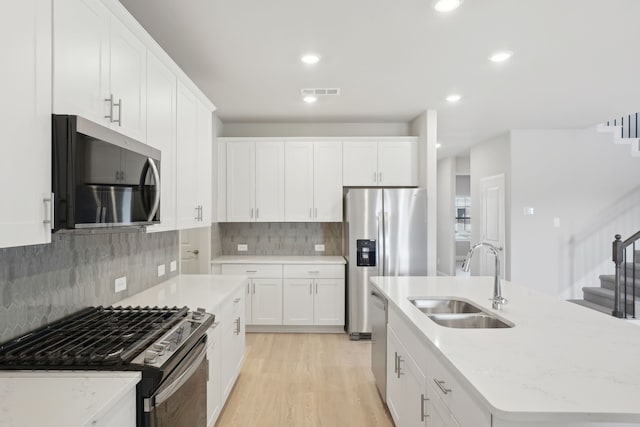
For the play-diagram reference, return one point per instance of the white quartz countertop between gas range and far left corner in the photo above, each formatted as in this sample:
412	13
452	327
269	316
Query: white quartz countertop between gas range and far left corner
191	290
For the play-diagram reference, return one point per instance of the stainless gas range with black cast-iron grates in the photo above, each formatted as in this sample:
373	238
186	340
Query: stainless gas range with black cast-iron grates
163	343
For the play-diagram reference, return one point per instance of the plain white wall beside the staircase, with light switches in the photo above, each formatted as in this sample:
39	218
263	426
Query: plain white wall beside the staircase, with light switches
590	185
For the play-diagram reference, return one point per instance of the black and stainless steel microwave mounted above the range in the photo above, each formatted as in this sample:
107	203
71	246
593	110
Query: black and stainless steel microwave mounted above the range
101	178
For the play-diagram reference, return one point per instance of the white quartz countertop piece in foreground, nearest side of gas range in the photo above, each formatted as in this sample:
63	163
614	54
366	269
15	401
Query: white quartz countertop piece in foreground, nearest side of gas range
60	399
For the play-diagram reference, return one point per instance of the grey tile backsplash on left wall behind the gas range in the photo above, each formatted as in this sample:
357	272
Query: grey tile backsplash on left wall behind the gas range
43	283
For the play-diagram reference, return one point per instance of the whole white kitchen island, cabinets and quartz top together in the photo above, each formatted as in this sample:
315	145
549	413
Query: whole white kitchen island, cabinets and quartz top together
560	364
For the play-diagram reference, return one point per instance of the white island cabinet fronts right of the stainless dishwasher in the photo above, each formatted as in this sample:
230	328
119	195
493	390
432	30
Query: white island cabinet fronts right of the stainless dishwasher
421	389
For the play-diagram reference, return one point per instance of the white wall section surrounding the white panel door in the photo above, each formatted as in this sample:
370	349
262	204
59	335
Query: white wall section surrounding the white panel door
488	159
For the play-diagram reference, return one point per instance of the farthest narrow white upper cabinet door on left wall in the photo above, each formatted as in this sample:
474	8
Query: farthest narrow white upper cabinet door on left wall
204	163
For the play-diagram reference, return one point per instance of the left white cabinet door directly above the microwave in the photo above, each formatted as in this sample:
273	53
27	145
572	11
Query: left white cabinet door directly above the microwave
81	61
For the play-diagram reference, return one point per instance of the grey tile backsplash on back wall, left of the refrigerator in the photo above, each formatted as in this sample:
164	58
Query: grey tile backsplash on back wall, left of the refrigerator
276	238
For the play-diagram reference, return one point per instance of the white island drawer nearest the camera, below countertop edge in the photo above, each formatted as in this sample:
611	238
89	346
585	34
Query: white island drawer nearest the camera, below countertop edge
443	385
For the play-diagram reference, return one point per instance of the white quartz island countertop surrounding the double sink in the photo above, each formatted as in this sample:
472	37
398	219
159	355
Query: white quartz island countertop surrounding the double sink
560	361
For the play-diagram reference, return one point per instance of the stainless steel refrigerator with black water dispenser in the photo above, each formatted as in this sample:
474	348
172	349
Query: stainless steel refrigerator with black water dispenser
385	232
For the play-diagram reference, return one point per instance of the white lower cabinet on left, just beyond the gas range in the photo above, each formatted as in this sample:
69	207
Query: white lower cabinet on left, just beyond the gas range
225	351
